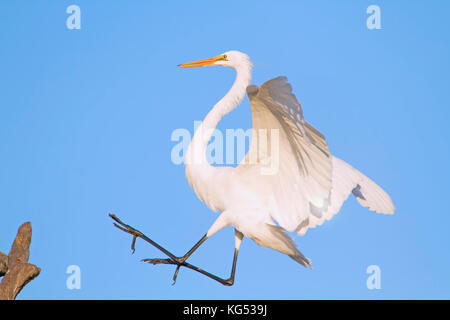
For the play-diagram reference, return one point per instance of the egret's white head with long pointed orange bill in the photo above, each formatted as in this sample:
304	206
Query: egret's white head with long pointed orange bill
233	59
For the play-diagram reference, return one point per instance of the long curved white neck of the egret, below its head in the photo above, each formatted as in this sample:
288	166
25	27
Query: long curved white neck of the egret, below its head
197	166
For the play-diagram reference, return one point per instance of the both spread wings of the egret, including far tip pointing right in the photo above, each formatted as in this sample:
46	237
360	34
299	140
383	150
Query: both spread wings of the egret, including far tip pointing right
308	185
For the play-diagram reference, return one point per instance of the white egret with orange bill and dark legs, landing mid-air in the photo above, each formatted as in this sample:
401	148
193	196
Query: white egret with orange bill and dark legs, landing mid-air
308	186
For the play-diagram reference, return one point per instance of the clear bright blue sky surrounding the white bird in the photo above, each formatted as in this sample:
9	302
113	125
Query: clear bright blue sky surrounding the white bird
86	118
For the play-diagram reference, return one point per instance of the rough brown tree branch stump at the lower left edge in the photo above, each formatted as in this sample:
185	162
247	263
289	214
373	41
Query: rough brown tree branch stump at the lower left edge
14	267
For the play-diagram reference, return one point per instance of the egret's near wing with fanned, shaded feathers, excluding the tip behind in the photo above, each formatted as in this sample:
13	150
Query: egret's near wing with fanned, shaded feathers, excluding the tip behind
301	182
